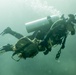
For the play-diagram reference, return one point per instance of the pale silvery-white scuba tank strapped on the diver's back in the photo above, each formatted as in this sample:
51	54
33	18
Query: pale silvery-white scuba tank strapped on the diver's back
43	22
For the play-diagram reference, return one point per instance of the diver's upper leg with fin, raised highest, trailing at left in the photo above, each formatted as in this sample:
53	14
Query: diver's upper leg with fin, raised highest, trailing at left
8	30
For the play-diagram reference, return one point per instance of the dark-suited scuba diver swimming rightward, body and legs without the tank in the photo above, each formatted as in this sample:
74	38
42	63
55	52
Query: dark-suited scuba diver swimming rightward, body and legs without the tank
56	35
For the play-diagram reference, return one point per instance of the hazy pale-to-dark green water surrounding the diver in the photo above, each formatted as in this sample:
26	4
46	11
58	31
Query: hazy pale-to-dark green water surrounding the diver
14	14
